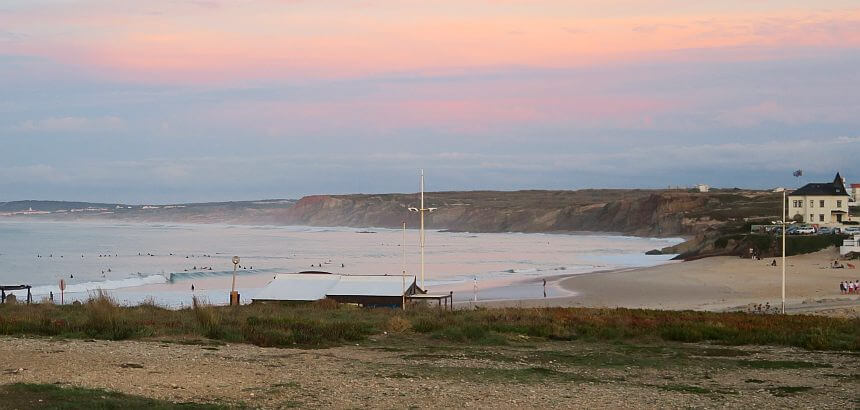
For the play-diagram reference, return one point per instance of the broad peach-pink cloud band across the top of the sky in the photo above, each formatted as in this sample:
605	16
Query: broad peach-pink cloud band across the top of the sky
189	43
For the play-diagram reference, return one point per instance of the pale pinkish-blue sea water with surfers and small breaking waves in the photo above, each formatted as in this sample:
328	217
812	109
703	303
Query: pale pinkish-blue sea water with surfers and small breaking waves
161	261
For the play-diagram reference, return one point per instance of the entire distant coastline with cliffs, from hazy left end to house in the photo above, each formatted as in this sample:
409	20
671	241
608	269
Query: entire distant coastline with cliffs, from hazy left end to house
702	218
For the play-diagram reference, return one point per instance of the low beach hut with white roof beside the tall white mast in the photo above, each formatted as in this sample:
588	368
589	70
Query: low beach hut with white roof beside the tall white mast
364	290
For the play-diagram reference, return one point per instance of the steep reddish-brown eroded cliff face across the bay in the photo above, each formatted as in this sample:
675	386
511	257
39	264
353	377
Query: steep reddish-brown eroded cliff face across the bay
635	212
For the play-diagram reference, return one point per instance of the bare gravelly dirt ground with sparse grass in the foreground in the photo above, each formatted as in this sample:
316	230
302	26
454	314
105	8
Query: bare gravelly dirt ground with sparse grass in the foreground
398	372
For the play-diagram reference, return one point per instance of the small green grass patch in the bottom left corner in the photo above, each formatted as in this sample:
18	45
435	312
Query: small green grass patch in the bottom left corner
49	396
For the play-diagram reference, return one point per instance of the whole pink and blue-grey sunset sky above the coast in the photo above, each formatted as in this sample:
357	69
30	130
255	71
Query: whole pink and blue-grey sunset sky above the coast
164	101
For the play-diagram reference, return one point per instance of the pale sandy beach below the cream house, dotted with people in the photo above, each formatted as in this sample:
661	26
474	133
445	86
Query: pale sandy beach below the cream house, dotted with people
714	284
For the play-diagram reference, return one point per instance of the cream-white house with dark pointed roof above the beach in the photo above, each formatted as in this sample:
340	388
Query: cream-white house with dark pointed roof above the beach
821	203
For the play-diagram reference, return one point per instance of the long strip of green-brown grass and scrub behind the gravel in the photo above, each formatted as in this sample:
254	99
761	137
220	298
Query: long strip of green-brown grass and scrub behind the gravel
325	324
